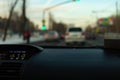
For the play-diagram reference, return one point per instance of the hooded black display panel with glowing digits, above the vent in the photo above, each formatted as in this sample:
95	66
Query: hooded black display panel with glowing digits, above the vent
18	52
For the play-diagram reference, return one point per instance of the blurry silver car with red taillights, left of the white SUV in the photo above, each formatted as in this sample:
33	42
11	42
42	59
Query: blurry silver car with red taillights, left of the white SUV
52	36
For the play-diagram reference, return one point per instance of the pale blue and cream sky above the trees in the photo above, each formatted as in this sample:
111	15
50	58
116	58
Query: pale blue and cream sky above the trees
78	13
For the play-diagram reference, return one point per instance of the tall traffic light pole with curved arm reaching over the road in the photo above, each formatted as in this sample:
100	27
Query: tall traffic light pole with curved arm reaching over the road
44	11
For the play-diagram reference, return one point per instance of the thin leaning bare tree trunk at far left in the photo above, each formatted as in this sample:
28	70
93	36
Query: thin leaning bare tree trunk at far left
9	19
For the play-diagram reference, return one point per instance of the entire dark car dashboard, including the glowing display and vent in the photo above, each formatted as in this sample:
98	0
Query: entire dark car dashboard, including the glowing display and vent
28	62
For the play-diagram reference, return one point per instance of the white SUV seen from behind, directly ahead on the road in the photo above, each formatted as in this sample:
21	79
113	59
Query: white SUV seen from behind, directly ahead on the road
74	35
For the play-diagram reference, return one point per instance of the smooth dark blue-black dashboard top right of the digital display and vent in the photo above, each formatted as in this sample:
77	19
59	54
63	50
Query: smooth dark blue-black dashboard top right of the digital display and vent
71	63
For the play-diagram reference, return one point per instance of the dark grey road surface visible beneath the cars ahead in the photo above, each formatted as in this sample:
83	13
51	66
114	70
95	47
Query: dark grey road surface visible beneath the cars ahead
88	43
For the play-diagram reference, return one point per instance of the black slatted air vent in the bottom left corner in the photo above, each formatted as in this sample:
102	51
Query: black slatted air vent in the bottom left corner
10	71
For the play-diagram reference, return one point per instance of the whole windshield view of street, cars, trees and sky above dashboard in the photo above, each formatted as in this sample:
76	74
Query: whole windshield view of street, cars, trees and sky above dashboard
31	22
